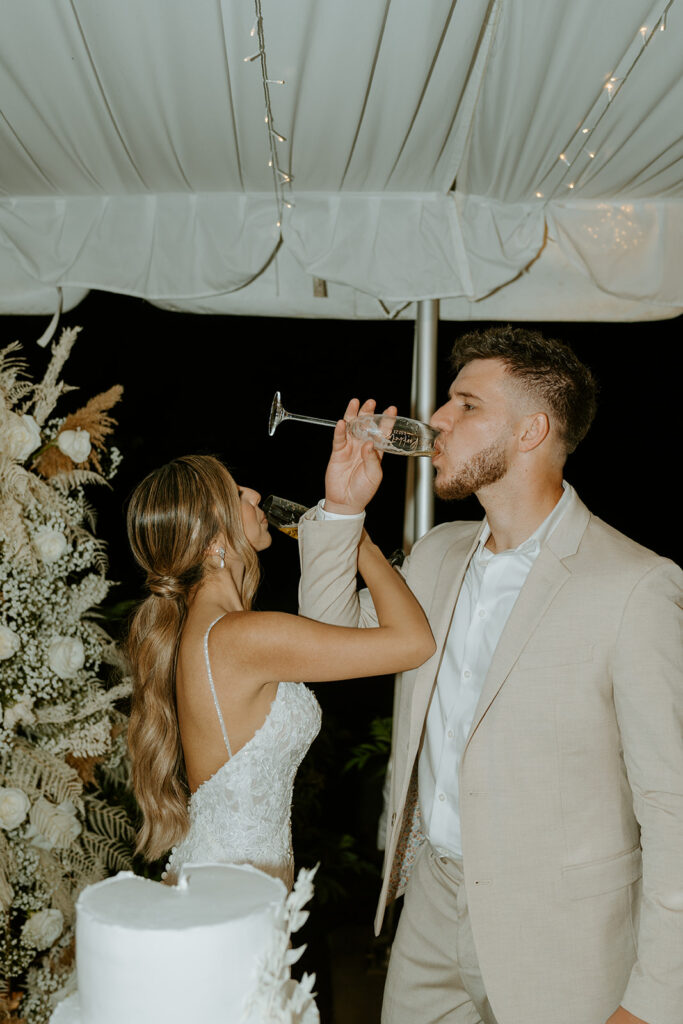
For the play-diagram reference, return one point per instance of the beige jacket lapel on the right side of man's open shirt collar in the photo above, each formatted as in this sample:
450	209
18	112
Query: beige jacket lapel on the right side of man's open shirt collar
548	575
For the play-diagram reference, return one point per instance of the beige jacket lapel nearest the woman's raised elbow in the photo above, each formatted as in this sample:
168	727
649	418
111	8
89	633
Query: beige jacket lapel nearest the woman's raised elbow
447	589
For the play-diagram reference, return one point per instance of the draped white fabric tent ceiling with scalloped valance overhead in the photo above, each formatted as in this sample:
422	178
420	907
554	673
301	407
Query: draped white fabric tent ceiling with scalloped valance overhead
518	159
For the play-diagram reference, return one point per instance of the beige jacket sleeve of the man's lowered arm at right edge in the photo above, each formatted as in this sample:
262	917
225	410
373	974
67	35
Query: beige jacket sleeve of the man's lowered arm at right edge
649	698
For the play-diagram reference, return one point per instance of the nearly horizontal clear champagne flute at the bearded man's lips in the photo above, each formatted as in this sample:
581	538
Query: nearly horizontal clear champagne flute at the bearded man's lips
391	434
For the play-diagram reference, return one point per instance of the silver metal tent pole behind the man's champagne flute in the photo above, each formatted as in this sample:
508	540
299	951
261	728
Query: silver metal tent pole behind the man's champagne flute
419	516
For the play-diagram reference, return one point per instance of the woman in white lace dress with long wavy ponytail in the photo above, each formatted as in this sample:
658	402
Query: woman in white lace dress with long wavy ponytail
216	739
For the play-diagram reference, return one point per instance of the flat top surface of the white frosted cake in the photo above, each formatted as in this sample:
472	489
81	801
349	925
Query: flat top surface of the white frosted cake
205	895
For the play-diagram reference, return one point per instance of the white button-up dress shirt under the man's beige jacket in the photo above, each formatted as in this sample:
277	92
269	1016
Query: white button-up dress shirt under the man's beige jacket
489	592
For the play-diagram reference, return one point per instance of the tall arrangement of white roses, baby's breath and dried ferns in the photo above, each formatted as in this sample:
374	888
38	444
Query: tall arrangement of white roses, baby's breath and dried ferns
62	738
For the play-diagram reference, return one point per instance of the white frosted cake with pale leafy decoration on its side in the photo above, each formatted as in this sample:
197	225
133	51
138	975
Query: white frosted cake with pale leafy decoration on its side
212	950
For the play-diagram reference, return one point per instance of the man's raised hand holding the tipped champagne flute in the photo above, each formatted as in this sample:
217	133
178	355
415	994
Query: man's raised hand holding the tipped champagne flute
355	471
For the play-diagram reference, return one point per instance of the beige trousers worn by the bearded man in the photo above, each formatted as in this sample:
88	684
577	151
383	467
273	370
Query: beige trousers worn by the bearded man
434	976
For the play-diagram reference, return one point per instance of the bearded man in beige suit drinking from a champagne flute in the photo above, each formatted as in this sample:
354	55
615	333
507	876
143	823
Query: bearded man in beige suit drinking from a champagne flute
537	797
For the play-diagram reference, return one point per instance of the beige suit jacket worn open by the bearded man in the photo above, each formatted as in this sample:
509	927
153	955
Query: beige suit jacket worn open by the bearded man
572	781
